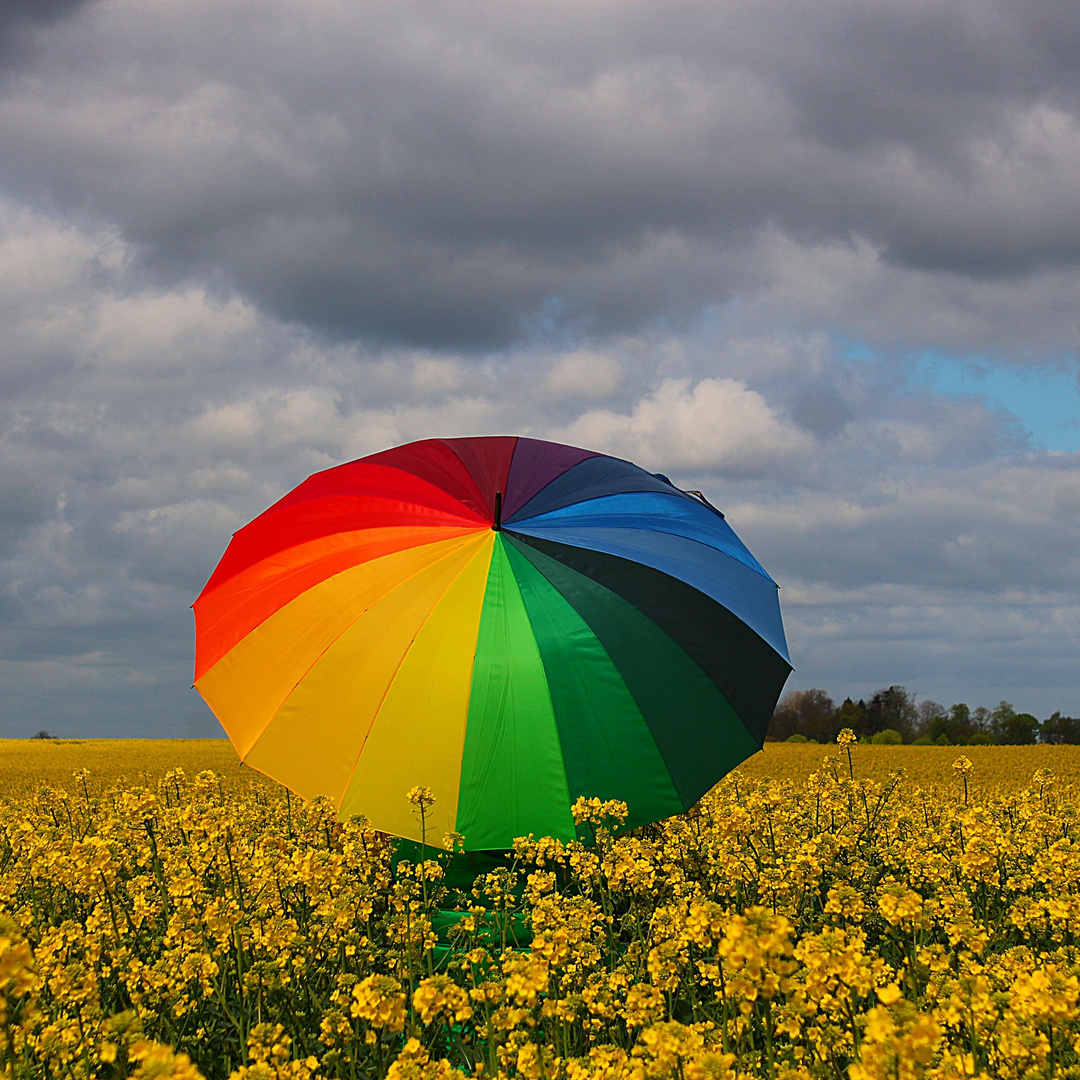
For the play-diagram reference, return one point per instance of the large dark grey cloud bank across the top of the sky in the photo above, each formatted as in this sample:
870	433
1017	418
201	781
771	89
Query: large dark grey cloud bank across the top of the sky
461	175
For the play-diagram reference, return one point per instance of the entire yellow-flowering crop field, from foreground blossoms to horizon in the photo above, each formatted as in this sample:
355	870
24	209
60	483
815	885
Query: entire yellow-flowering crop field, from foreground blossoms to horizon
910	912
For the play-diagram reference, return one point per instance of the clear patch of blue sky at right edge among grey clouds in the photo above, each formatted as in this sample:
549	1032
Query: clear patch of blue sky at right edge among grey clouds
1045	399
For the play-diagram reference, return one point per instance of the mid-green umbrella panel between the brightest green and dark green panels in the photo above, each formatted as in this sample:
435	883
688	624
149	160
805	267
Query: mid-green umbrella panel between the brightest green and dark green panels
607	748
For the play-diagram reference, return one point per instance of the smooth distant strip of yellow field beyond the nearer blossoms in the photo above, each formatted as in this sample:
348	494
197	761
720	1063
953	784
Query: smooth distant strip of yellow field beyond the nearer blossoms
26	765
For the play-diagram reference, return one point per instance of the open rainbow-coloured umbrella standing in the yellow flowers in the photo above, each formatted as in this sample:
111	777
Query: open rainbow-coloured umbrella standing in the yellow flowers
510	623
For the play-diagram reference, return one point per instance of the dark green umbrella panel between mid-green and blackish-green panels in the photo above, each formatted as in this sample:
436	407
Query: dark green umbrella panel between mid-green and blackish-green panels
700	736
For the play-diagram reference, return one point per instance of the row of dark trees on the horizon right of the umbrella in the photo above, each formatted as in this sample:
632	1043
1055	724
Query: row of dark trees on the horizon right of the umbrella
894	715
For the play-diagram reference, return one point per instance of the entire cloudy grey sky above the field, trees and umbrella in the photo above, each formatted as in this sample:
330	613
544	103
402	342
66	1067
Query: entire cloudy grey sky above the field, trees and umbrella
821	261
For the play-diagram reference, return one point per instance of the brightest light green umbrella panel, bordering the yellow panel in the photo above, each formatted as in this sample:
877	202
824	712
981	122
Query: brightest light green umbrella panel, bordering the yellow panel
514	780
